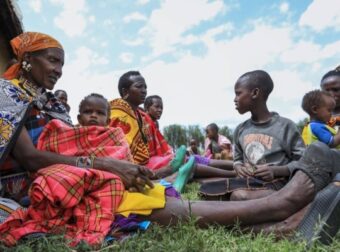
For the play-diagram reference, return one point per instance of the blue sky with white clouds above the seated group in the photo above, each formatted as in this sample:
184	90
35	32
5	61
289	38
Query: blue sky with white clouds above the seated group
191	52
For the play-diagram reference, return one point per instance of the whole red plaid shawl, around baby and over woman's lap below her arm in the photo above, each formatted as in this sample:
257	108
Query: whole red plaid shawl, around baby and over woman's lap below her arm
81	202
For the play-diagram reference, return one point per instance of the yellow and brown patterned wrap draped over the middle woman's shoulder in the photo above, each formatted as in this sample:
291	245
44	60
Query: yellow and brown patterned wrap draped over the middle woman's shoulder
124	117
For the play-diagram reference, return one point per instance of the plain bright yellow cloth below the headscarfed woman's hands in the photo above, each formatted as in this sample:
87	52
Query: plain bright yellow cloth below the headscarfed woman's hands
142	203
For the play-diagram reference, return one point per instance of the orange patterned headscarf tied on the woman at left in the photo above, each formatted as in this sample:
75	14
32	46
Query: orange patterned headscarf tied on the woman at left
28	42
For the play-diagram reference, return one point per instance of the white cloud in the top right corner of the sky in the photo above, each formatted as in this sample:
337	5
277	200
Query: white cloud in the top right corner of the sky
322	14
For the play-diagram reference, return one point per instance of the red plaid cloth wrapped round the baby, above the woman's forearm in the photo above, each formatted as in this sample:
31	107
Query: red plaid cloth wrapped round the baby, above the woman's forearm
84	141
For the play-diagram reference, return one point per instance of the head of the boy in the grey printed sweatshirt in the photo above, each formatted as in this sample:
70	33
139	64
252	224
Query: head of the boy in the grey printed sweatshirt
252	88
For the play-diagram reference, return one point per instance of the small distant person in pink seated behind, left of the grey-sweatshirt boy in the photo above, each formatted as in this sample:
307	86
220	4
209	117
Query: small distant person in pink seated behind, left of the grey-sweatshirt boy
217	146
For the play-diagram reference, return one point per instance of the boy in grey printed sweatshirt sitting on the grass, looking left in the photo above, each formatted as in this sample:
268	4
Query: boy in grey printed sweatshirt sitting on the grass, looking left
263	143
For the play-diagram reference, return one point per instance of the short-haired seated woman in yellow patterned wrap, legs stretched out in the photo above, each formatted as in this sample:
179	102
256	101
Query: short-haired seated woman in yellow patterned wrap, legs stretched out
126	114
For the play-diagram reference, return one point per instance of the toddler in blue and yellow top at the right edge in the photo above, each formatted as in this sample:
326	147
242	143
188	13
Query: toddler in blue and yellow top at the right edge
319	105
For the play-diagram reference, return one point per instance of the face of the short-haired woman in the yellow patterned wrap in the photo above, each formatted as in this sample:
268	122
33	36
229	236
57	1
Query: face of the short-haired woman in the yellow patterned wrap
137	91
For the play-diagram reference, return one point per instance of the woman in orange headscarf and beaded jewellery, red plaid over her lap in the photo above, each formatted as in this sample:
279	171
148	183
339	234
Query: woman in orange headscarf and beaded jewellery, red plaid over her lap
26	107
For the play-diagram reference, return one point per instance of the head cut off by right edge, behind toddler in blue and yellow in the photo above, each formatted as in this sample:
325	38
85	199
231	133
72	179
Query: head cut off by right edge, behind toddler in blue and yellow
330	82
